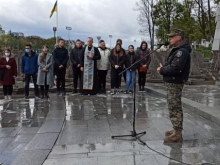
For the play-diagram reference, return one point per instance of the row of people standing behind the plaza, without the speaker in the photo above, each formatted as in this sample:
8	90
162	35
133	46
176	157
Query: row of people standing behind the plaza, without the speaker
90	67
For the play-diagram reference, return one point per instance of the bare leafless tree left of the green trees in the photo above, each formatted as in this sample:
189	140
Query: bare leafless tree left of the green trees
146	18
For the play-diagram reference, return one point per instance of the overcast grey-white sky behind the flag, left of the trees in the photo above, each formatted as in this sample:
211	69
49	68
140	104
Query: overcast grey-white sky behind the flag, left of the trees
86	17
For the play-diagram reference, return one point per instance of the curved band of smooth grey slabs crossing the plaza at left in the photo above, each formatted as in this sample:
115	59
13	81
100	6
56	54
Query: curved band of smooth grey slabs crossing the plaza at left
39	148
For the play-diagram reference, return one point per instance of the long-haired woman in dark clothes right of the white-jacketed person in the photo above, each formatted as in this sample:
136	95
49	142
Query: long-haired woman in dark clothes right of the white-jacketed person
116	60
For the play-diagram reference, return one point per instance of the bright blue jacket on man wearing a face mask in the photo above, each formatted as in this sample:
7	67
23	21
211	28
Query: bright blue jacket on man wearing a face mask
29	65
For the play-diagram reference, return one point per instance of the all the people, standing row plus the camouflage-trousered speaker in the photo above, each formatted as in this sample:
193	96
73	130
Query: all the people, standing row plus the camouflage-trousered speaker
91	65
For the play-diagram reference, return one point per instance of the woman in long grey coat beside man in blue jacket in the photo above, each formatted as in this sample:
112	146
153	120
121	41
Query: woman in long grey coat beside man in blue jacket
45	71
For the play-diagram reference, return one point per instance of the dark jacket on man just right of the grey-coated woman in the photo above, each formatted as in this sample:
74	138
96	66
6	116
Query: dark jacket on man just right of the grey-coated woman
60	56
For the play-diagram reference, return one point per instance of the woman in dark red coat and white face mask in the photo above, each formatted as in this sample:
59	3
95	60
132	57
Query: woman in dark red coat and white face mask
8	64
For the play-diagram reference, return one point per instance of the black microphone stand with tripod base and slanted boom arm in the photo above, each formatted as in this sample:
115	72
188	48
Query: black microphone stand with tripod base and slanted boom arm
134	134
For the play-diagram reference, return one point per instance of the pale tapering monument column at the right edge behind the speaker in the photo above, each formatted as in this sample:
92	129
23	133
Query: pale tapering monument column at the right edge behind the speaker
216	42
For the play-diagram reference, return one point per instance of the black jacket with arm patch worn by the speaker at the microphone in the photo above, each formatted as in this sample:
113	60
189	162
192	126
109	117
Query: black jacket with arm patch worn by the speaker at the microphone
177	68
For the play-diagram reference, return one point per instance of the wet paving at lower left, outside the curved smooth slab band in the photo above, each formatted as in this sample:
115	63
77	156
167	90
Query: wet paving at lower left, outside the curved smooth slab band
20	120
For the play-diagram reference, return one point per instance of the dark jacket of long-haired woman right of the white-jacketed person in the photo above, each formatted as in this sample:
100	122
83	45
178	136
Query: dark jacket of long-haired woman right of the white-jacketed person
117	60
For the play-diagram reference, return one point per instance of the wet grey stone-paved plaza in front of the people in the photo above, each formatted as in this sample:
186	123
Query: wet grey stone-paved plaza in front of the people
77	130
